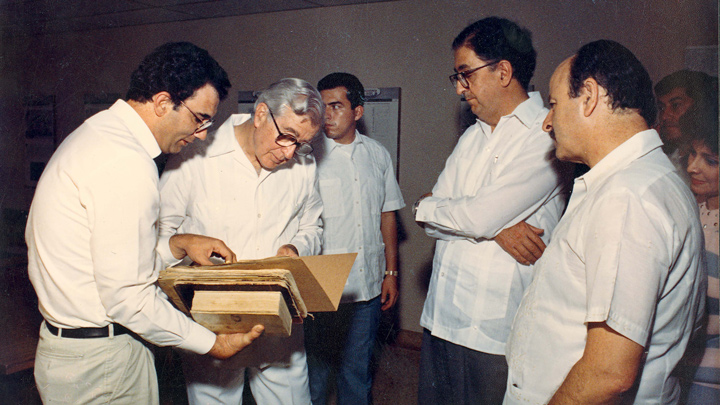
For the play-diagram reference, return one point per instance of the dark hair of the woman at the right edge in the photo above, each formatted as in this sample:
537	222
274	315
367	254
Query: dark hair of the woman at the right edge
700	122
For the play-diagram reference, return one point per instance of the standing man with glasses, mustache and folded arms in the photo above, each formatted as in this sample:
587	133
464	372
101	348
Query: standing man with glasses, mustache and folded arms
492	211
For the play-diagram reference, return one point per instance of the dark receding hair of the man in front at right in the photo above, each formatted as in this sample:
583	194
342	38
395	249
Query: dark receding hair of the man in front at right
619	72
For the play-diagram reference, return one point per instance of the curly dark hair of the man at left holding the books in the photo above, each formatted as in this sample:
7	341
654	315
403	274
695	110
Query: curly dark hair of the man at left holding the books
179	68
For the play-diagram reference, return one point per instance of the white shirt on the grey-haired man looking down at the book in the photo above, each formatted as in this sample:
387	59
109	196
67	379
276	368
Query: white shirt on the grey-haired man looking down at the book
212	188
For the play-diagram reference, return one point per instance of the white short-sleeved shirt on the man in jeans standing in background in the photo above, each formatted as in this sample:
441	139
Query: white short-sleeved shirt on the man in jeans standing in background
357	184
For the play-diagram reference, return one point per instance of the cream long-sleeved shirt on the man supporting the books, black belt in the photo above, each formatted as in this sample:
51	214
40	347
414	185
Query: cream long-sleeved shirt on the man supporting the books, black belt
91	234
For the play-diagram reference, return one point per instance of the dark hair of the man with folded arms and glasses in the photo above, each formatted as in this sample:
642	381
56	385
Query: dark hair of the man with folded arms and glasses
494	39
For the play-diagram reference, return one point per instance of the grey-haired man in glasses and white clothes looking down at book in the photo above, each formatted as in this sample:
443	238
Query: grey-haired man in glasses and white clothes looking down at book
253	185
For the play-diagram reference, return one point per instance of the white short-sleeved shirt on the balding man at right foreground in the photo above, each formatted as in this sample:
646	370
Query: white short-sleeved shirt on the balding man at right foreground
627	252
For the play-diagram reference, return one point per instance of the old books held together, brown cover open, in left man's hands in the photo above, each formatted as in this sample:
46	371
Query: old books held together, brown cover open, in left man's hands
306	284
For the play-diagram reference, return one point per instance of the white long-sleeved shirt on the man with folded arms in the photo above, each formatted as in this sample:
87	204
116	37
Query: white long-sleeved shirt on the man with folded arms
491	181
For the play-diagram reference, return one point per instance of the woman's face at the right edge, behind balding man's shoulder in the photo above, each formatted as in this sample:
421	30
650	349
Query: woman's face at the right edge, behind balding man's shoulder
703	170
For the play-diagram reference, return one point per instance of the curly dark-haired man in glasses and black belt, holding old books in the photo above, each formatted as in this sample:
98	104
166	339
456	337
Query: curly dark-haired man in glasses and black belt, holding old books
93	246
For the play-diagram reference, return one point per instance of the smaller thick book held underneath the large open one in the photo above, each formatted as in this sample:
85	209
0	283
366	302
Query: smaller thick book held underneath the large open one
239	311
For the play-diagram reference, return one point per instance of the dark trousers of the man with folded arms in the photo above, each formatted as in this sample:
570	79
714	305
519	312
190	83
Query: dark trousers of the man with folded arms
453	374
